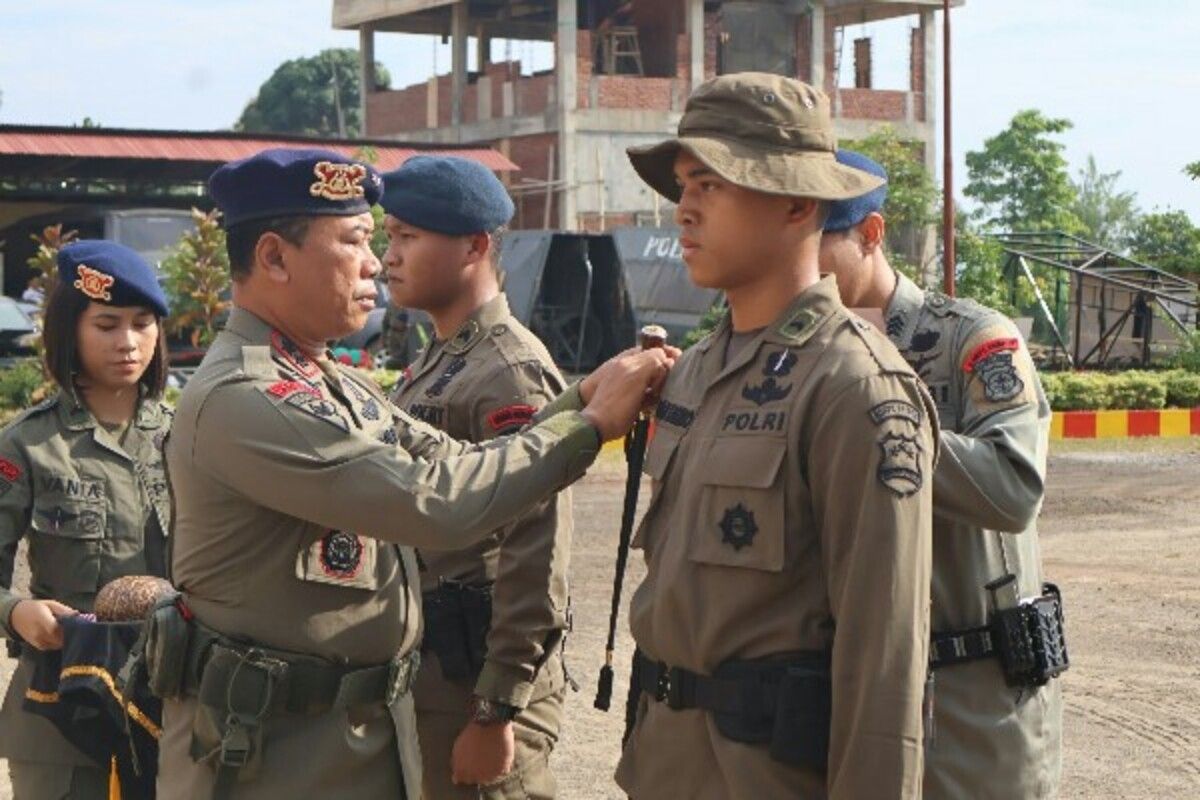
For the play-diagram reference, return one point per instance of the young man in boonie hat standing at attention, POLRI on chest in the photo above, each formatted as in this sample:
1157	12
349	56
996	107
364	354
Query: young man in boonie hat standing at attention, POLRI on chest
783	625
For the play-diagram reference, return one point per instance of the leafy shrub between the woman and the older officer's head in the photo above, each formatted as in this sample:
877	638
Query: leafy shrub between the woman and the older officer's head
196	276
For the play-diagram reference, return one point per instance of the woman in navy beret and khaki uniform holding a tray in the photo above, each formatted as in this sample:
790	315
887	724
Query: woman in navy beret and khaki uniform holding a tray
82	477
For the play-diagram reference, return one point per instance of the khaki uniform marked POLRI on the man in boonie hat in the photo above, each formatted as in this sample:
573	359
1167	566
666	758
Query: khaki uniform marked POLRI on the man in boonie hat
791	512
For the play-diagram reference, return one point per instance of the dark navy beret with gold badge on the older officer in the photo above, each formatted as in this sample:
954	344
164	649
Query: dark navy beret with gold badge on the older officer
286	183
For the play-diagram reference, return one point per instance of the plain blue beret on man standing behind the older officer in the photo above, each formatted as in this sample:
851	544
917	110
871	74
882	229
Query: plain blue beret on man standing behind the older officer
447	195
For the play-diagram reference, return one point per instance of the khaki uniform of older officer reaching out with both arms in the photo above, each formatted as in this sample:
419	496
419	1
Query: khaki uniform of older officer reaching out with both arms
296	485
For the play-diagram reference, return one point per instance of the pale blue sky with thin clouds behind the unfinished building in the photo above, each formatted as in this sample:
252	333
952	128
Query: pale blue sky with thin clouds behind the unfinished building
1127	75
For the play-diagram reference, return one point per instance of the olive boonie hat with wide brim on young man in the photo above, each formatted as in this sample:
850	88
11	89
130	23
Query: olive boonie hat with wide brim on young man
759	131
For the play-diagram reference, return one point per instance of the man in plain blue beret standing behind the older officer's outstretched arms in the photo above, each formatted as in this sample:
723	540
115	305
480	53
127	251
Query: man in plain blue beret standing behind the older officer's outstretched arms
495	615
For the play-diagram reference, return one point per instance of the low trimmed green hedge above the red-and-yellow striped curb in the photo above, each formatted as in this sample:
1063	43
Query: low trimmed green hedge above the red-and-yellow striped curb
1089	392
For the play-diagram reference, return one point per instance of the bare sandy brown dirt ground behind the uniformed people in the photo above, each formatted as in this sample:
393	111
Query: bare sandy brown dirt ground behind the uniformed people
1121	537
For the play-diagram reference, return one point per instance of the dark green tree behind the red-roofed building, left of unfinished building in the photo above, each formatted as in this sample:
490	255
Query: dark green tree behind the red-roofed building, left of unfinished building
313	97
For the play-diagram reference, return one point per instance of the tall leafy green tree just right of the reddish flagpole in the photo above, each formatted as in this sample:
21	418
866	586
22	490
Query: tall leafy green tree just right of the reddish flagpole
1021	178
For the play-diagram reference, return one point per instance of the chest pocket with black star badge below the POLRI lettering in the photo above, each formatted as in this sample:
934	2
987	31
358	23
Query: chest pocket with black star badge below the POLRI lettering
740	521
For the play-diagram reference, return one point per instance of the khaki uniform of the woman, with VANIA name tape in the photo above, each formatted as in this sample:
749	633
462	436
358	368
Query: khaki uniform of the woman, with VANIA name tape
94	509
